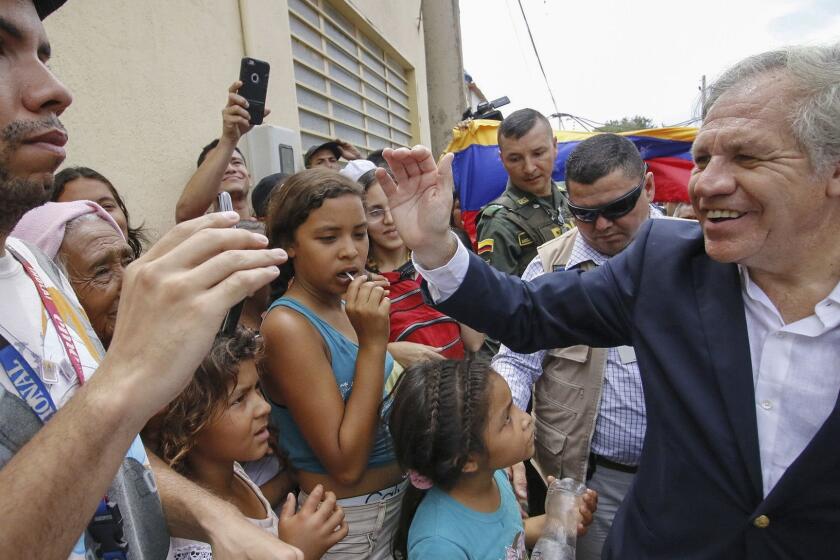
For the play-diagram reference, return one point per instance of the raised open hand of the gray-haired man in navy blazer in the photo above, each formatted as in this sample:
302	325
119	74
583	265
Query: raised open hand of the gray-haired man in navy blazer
421	202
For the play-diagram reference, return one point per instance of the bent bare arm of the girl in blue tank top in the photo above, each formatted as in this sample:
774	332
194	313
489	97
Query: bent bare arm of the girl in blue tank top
300	375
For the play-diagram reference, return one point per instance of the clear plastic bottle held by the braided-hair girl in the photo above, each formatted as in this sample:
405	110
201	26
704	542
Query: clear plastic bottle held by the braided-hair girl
559	536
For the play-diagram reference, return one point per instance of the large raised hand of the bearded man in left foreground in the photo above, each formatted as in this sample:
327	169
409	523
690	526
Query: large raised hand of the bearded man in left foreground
173	301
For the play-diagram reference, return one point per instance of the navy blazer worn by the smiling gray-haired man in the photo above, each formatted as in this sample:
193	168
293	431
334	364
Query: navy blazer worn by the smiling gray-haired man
698	491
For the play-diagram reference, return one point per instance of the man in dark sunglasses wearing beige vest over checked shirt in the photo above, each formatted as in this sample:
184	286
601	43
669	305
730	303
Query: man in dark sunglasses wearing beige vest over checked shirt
588	402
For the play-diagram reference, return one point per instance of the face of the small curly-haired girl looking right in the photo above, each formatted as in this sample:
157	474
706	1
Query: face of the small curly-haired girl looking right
240	432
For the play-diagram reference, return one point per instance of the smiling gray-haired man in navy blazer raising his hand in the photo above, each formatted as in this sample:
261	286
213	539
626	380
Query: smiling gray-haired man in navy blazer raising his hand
736	322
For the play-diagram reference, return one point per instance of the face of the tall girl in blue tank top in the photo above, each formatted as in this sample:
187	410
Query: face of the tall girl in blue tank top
330	244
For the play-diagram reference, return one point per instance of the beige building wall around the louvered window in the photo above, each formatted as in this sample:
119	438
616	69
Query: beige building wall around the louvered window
150	78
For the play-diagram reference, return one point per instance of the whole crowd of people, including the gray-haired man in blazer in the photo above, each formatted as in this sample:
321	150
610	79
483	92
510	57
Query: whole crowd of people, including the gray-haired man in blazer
391	390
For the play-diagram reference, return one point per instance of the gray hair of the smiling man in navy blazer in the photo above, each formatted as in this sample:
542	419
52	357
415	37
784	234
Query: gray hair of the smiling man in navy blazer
815	111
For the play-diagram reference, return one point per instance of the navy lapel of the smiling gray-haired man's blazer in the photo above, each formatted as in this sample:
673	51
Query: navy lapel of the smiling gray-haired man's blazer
721	309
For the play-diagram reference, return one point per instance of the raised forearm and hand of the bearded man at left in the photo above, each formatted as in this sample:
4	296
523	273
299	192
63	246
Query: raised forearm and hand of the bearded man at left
173	300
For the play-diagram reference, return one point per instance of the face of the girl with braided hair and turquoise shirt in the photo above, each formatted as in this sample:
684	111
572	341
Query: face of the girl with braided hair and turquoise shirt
509	435
